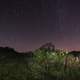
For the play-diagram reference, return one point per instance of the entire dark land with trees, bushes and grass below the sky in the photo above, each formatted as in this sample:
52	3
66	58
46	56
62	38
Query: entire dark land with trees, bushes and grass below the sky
45	63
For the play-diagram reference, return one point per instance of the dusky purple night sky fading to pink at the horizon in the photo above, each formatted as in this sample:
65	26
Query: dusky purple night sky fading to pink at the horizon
27	24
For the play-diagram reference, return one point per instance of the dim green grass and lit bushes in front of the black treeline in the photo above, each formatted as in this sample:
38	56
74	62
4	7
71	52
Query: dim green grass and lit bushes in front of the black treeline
44	65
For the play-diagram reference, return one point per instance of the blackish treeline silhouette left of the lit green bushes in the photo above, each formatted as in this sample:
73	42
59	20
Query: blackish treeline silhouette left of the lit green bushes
8	54
